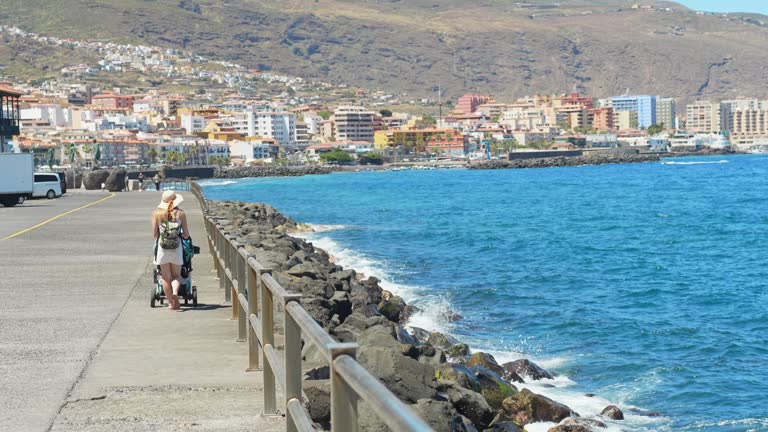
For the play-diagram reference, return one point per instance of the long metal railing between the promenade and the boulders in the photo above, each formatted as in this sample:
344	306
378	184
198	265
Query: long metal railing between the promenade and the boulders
253	291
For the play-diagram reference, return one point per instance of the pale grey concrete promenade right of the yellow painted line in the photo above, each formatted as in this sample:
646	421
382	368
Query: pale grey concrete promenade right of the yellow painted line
80	348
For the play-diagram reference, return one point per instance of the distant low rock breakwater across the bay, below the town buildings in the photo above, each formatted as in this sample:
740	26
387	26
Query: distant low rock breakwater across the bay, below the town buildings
563	161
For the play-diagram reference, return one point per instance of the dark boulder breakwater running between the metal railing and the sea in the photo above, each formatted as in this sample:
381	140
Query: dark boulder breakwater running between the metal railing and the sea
432	372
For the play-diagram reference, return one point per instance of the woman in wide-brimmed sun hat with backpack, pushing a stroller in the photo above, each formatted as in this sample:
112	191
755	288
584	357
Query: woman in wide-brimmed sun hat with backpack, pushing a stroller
169	225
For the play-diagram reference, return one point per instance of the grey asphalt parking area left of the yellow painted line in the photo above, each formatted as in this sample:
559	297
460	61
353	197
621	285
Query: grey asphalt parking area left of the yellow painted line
35	211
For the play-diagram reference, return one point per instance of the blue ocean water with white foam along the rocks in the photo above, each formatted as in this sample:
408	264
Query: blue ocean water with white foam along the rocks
643	284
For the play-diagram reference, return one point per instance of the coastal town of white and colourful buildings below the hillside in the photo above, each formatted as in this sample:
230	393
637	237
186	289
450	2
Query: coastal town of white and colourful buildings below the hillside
225	121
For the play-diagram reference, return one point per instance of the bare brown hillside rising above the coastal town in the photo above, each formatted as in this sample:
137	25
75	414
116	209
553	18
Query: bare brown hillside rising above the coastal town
496	46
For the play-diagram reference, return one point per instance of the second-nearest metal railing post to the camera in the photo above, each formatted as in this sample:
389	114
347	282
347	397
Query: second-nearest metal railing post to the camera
292	358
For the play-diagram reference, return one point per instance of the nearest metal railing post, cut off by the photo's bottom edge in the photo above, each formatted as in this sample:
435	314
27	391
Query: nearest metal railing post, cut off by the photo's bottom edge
343	398
